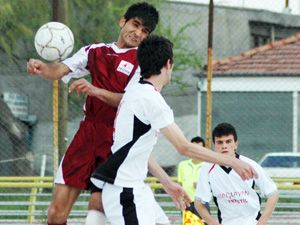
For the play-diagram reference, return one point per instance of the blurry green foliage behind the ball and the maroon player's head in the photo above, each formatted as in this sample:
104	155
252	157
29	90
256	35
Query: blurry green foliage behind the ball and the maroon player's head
90	20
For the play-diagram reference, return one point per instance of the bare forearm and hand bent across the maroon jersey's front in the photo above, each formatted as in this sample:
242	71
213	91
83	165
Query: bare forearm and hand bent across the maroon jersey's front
83	86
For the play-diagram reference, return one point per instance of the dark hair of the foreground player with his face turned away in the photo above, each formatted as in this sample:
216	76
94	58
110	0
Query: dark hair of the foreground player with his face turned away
153	53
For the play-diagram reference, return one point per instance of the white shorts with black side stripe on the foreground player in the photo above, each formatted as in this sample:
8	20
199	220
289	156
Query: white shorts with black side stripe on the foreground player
131	206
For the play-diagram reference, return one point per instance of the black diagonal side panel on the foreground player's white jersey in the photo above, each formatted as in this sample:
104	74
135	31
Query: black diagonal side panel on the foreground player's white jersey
108	170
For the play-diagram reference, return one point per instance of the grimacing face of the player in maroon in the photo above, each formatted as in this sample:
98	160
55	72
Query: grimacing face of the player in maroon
132	33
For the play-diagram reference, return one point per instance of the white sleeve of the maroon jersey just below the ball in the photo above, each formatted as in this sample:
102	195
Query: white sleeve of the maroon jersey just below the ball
77	64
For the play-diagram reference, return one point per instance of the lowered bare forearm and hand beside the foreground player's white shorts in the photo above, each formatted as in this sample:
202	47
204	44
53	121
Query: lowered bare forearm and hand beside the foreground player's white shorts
180	198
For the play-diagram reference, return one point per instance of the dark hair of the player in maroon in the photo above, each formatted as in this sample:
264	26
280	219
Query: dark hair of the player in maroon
145	12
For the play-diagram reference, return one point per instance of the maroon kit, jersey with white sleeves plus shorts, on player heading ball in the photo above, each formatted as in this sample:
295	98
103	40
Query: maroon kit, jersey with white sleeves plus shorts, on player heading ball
111	68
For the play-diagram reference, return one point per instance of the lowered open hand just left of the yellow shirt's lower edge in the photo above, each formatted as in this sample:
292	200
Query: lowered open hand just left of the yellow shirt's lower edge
180	198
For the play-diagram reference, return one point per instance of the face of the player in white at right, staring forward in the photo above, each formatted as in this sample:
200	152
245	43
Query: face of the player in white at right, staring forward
226	145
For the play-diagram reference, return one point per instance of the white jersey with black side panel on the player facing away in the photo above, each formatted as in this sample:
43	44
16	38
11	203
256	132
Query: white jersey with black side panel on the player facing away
141	114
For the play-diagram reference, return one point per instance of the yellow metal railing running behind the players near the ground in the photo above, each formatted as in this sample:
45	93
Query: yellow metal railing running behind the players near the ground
27	199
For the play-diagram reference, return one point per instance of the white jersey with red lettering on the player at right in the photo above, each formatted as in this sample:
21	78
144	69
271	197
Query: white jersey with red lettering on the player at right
236	199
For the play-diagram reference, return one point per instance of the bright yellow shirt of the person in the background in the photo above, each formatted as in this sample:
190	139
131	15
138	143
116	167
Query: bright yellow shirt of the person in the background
188	175
